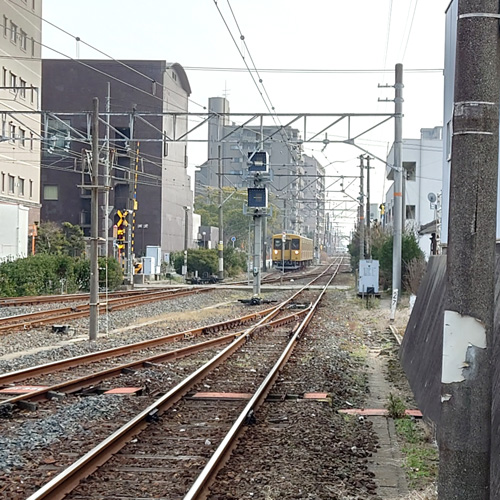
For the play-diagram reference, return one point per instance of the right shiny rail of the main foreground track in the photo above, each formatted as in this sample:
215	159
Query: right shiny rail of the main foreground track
199	490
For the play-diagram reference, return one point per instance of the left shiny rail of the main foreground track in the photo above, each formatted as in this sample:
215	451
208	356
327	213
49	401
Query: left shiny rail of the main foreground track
64	482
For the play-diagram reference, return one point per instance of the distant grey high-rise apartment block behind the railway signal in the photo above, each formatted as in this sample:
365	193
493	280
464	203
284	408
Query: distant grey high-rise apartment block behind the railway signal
292	172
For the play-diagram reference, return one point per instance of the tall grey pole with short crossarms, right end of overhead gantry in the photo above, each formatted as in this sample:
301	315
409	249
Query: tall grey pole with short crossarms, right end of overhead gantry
398	181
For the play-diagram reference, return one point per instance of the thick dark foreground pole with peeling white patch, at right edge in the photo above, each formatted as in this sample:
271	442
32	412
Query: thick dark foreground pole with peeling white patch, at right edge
464	430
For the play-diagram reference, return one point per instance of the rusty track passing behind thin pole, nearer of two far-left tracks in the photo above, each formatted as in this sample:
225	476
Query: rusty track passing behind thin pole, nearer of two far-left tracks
63	314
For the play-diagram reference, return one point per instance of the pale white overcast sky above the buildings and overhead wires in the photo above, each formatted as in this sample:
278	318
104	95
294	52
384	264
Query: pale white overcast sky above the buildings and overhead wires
279	34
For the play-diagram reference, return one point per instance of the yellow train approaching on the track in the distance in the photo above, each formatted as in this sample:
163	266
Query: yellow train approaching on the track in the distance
296	252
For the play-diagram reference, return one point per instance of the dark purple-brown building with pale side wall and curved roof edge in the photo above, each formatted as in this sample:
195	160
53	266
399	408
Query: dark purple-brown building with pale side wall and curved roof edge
148	174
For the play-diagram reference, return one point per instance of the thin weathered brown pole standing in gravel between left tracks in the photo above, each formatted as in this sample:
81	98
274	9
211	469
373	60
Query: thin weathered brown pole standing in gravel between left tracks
94	227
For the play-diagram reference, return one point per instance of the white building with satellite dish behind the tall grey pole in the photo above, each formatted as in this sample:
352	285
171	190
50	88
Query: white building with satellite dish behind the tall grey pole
422	183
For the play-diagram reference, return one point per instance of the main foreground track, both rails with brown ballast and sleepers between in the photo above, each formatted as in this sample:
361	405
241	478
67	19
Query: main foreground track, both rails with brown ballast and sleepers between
195	462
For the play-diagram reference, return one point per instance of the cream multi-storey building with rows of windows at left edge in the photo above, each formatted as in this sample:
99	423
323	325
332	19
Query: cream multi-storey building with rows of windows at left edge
20	82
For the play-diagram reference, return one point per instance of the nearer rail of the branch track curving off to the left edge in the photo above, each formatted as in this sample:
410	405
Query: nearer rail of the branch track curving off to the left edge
71	386
